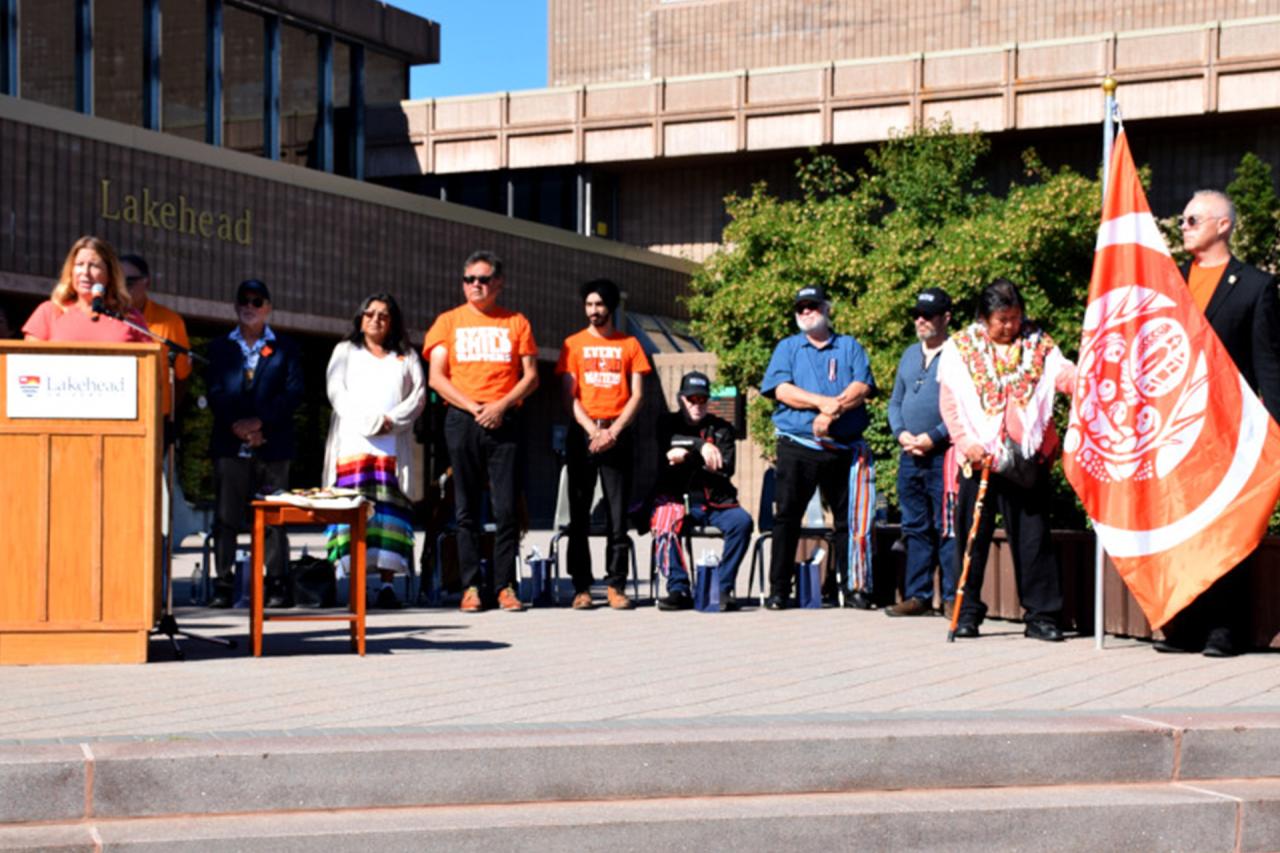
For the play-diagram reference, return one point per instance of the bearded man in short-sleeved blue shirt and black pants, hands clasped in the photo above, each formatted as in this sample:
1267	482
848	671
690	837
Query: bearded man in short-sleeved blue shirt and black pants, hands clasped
820	382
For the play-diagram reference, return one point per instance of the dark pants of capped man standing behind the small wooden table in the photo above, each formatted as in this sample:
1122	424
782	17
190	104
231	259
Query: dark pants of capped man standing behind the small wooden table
237	481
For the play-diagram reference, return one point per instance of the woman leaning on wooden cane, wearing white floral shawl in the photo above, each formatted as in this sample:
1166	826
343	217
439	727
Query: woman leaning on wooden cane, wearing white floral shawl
998	382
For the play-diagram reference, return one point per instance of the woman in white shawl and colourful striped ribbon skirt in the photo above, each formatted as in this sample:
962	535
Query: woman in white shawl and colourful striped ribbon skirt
378	389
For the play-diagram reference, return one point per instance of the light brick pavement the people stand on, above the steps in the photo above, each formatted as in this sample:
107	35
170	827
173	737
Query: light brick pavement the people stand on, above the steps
438	669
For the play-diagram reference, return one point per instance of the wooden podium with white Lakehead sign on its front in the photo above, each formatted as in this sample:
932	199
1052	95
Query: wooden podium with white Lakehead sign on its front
80	501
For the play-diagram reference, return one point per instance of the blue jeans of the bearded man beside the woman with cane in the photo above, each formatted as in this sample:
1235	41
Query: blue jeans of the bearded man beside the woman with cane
920	495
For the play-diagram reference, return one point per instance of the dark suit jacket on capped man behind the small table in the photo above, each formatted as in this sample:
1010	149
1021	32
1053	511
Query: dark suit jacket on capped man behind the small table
273	396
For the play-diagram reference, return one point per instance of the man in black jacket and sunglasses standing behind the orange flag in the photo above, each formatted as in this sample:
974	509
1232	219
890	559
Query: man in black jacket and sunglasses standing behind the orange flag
1240	302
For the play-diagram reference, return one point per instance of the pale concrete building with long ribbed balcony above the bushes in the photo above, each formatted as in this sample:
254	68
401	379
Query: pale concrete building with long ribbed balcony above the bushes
660	108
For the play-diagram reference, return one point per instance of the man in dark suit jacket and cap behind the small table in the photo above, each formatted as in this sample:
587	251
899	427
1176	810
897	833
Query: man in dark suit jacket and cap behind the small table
255	385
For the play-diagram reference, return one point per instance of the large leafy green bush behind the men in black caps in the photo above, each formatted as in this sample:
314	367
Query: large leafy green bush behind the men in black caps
916	217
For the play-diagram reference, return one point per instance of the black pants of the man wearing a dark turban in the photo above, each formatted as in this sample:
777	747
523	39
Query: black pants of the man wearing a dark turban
614	468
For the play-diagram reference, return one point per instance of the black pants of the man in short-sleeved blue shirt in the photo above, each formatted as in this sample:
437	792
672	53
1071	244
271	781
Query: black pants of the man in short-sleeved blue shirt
799	471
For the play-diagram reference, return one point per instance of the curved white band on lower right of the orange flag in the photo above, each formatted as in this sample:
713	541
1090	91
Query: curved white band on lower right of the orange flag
1249	449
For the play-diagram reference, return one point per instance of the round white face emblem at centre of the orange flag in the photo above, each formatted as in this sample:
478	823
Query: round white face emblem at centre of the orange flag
1141	404
